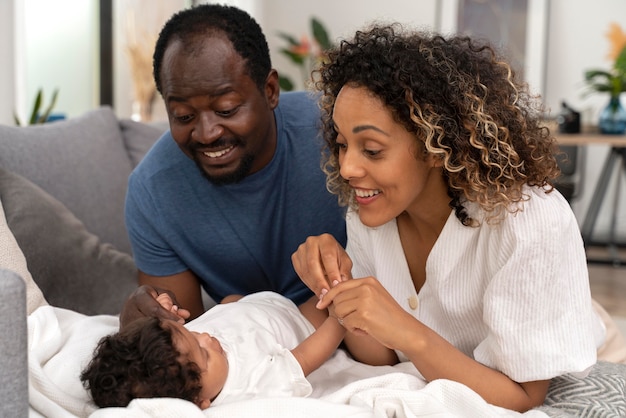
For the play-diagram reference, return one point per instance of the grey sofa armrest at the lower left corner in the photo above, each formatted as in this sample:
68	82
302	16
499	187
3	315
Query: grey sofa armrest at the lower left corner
13	346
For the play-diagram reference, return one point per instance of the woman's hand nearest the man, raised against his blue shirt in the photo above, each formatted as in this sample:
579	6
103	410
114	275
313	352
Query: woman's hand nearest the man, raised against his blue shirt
320	261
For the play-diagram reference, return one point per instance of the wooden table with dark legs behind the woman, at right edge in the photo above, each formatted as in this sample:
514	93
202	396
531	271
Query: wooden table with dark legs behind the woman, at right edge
617	155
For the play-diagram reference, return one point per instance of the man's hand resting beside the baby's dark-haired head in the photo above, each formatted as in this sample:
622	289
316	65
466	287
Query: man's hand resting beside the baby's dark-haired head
143	303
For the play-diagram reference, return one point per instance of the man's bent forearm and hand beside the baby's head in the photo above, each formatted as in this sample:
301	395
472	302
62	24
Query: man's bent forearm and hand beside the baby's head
183	288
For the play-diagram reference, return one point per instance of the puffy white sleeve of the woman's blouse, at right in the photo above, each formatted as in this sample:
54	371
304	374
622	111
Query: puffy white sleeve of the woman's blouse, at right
537	306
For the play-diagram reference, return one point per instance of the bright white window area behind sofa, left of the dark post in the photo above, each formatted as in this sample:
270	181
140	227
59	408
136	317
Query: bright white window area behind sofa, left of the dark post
58	43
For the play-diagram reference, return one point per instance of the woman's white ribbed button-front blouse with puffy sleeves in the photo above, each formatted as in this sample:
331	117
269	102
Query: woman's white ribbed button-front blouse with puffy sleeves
514	295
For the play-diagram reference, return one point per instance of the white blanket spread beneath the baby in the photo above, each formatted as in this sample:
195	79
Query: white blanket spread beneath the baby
61	343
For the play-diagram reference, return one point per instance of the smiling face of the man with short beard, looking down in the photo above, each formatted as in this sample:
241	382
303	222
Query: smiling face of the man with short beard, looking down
218	117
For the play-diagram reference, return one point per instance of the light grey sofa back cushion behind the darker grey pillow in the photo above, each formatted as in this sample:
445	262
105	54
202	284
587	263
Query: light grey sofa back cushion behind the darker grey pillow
82	162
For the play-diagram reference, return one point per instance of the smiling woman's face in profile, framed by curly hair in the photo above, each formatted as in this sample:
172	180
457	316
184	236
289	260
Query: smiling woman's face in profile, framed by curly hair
383	162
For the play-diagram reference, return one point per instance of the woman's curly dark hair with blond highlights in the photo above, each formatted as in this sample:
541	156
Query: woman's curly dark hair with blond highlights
460	99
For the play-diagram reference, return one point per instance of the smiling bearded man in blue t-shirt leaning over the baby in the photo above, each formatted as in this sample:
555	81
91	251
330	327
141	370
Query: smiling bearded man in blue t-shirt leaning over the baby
223	199
